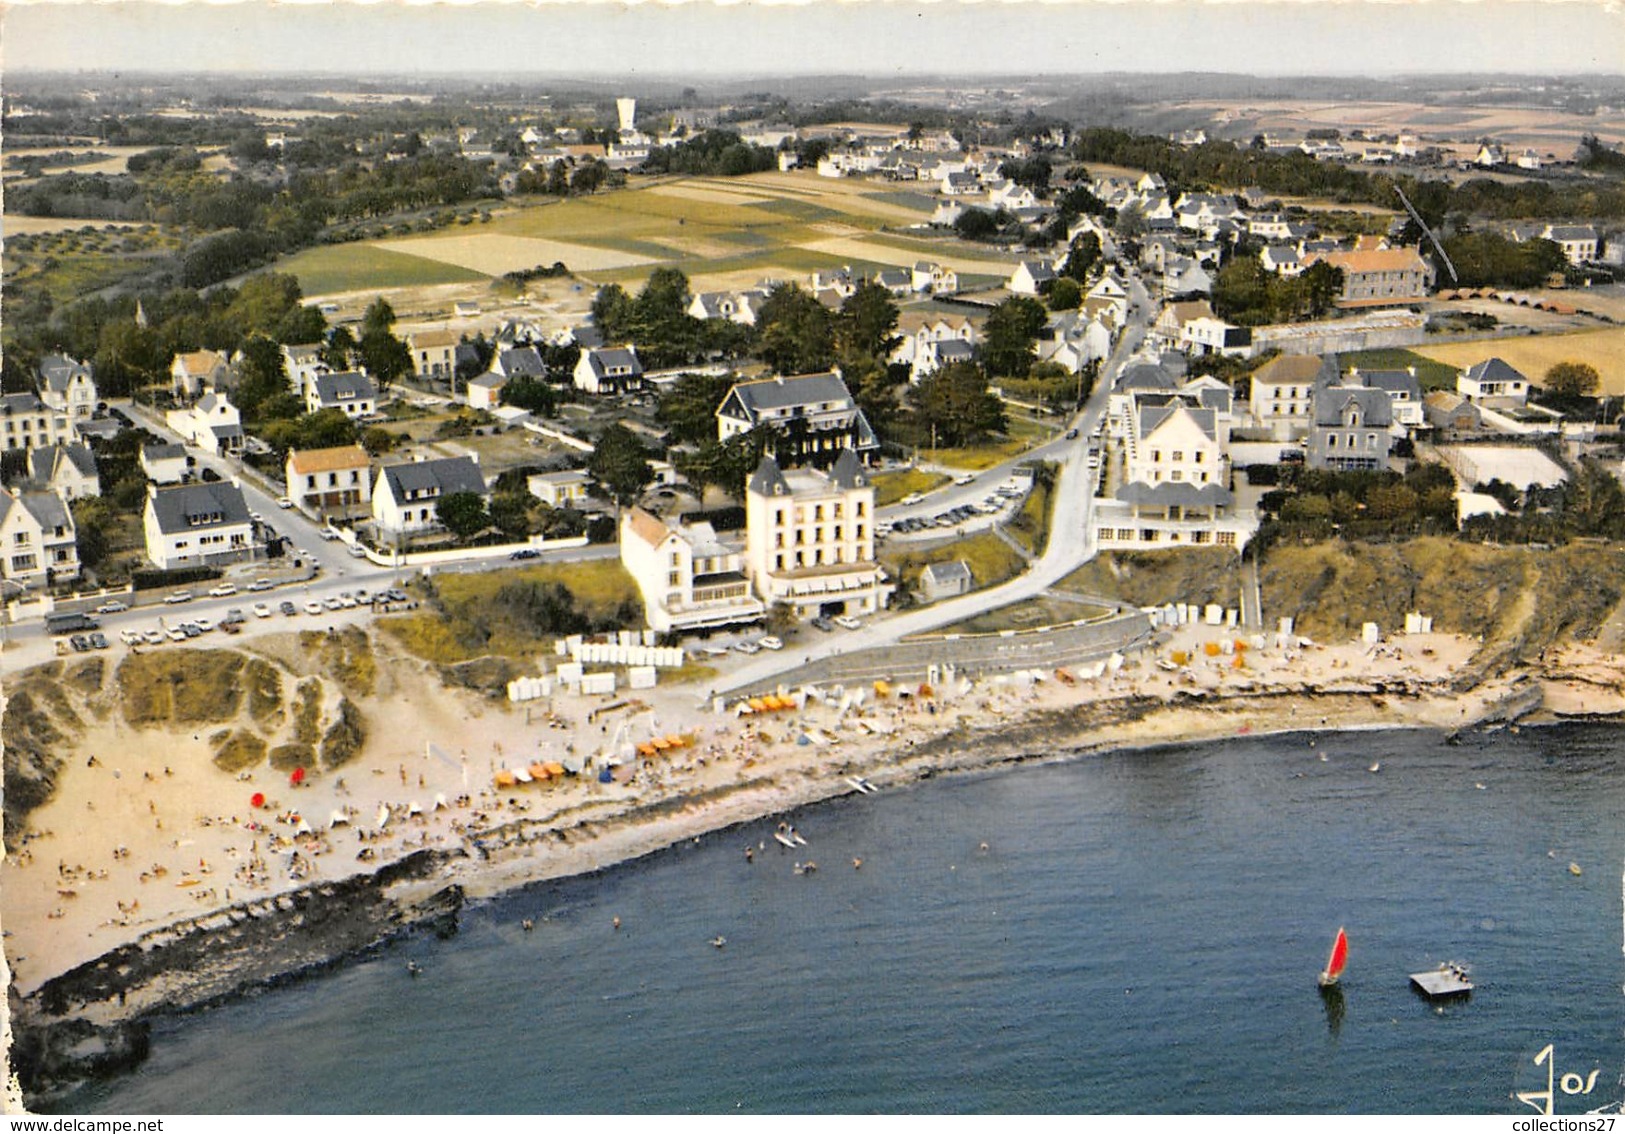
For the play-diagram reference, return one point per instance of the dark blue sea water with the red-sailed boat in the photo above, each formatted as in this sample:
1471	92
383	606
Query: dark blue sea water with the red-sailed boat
1138	932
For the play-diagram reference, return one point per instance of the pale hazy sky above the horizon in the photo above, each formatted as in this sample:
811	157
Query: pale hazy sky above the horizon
877	38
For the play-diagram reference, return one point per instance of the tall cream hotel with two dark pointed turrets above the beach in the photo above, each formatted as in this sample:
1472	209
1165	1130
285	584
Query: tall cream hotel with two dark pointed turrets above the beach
810	539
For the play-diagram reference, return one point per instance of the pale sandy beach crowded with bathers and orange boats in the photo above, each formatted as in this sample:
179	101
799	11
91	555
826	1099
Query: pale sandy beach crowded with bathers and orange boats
147	839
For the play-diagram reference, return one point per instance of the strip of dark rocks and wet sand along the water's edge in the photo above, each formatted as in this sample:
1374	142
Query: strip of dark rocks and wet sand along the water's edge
97	1019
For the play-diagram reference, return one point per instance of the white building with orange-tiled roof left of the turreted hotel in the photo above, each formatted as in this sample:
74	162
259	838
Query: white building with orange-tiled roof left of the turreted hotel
688	574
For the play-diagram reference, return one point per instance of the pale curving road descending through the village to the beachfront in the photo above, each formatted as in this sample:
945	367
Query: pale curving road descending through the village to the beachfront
1072	539
